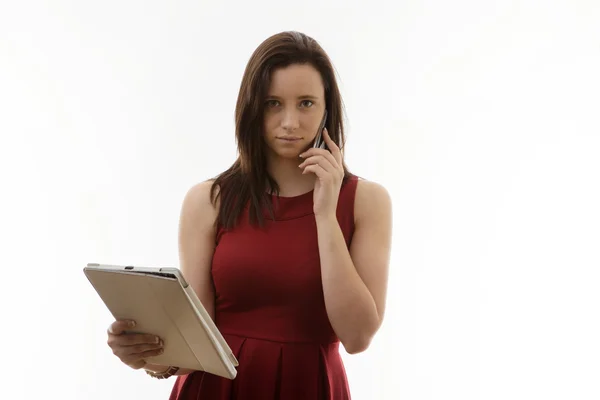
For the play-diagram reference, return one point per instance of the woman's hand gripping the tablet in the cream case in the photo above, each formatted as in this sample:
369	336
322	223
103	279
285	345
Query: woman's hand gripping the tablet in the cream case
132	348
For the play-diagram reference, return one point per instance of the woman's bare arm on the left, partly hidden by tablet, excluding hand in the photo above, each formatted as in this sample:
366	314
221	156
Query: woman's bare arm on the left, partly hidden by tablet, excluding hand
196	248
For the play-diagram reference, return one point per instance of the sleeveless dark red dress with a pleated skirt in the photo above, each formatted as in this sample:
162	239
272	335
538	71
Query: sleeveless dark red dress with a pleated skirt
270	308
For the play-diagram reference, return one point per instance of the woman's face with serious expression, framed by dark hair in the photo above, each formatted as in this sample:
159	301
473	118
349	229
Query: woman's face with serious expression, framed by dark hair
294	107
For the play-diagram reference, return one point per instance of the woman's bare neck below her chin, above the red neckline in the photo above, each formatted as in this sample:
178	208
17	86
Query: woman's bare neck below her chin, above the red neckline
289	177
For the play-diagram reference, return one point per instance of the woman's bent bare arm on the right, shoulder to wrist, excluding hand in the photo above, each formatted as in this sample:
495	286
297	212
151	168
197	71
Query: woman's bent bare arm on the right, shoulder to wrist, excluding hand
355	278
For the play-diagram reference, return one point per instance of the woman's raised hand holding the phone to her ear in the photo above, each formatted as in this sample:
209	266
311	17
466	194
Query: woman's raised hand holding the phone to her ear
328	167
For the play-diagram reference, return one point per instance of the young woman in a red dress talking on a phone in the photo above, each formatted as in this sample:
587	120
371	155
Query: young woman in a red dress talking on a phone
287	250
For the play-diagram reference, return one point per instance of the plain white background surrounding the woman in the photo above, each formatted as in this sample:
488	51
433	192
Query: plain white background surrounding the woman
480	117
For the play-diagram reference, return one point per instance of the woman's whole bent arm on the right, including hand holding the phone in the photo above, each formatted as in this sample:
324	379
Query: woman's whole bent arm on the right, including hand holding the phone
354	279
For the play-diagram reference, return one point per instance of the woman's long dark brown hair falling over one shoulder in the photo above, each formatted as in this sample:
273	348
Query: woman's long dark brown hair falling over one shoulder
247	180
